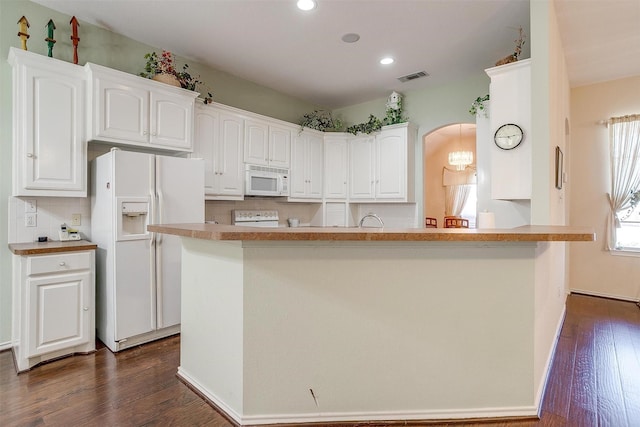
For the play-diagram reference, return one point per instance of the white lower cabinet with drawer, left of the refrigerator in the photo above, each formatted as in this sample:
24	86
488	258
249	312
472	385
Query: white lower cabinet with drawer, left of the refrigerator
55	313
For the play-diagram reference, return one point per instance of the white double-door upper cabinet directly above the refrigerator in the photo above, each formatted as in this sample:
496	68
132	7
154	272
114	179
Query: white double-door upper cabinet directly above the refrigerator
132	110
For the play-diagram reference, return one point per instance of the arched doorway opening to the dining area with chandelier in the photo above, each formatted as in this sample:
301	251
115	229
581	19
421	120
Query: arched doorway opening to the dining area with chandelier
439	175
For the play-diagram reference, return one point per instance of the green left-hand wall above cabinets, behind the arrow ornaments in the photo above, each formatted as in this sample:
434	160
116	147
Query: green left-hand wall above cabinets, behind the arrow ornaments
102	47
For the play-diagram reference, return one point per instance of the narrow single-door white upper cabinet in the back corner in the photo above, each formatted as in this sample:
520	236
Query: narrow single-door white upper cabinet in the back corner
336	166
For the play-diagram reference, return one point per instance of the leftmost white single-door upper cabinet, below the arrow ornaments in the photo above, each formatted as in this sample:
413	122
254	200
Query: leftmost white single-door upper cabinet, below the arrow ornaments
49	151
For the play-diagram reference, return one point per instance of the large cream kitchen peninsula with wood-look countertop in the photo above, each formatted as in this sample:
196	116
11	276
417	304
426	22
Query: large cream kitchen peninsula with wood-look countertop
333	324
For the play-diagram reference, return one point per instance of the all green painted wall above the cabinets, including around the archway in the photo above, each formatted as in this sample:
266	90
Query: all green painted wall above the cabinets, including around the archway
429	108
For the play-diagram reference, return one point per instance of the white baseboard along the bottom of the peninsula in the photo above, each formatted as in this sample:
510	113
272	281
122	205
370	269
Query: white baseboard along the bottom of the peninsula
461	414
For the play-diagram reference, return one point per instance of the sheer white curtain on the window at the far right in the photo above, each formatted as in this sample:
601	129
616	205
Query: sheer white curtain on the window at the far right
624	148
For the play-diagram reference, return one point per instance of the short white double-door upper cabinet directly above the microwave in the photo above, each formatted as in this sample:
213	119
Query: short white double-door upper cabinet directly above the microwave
267	144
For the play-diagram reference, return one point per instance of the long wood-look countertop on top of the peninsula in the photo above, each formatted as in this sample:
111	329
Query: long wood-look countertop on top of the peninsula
519	234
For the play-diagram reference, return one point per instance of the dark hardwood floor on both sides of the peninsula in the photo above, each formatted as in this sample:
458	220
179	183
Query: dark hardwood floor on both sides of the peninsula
594	381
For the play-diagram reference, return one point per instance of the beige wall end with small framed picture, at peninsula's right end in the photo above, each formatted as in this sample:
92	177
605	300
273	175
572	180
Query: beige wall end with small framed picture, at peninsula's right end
549	109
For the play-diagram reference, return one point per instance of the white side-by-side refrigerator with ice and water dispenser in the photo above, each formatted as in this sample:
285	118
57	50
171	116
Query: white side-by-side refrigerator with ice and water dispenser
138	272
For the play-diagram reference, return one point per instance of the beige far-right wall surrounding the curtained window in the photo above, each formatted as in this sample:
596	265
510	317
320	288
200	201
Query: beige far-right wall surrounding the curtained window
594	270
